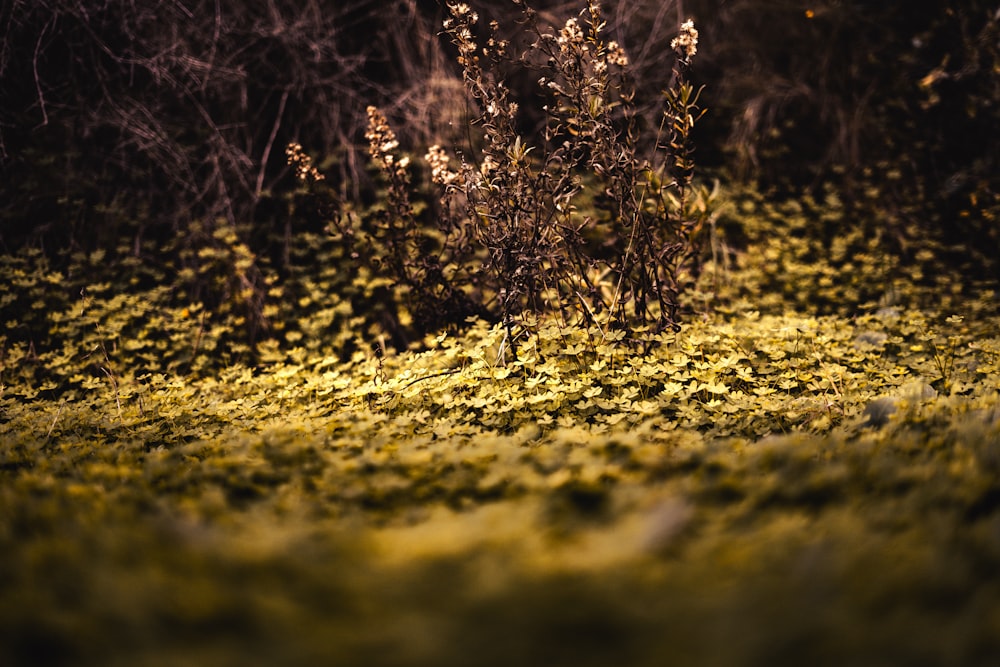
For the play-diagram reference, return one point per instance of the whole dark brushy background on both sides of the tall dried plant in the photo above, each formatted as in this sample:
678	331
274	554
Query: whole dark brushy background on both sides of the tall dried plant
136	129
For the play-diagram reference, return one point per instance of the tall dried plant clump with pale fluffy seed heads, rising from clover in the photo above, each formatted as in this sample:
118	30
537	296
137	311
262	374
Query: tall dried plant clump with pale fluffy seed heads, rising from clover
583	224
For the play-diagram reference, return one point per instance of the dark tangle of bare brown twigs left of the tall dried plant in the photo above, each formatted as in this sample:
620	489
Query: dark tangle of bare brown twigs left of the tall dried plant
153	134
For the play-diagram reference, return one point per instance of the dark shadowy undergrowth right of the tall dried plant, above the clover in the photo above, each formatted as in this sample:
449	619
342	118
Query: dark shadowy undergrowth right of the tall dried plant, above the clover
890	103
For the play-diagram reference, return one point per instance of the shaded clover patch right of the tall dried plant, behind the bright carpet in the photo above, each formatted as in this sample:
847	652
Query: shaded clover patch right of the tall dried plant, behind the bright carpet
822	256
